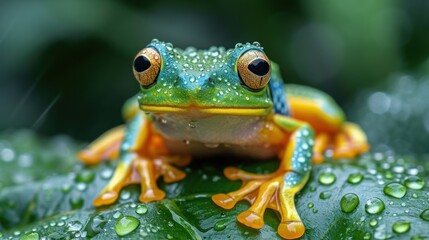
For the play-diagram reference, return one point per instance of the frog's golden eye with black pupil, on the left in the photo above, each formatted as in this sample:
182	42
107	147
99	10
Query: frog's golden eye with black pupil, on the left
146	66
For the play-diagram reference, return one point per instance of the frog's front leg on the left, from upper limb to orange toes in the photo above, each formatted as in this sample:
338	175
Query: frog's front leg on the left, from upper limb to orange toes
143	159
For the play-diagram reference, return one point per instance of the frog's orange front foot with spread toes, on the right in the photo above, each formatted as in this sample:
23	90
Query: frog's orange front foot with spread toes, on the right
266	191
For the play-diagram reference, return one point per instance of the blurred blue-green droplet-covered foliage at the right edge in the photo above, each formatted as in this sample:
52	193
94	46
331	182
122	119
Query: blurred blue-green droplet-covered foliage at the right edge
396	117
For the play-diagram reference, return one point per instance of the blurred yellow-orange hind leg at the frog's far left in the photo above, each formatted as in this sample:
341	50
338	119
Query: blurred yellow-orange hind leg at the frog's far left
105	147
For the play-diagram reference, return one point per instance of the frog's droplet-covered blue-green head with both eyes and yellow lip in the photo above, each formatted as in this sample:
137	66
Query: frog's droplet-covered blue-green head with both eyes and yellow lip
214	81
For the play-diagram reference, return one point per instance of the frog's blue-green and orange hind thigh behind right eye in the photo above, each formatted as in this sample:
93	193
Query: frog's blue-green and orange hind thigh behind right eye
315	107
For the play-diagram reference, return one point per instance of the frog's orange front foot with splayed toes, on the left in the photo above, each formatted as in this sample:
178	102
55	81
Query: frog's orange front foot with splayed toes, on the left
146	172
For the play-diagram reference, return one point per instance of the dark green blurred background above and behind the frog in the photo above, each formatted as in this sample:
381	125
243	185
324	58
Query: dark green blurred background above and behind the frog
65	66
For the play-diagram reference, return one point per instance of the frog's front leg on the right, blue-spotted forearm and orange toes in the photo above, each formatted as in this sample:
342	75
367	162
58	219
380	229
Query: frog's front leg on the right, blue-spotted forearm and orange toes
276	190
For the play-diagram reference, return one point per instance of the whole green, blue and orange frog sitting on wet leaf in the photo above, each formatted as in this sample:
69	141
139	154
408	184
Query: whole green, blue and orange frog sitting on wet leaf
217	102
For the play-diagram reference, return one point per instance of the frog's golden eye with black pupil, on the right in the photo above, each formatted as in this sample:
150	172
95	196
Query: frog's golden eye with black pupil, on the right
254	69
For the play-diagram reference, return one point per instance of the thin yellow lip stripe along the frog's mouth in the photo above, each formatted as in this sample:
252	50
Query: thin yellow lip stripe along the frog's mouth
209	110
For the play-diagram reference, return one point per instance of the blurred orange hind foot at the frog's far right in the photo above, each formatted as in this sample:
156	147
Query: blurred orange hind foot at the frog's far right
349	142
